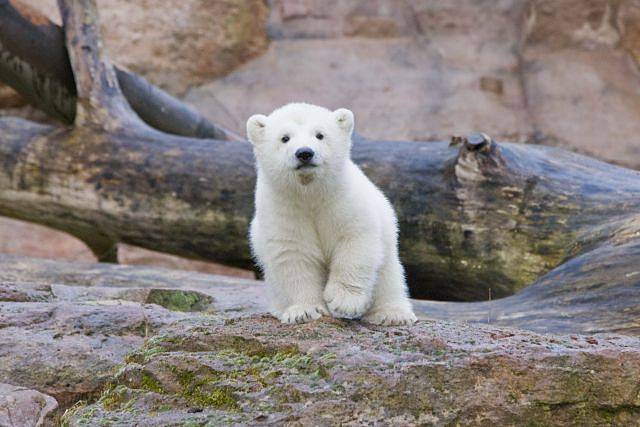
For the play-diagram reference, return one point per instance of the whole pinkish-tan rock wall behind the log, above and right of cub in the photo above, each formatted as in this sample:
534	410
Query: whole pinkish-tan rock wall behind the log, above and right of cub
561	73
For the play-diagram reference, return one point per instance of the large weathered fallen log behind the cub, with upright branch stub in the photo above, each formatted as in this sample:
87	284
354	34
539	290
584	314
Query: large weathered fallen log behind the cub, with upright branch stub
479	220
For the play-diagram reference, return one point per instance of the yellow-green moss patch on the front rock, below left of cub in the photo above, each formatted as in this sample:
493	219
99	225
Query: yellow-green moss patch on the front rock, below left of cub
247	365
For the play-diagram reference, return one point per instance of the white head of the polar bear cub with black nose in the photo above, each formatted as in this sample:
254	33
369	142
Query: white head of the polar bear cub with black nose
301	143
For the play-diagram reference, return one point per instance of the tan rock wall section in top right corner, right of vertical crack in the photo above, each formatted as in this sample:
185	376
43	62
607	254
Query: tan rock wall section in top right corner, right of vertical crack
581	76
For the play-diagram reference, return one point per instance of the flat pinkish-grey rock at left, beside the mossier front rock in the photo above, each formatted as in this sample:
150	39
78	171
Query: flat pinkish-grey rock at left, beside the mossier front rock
64	330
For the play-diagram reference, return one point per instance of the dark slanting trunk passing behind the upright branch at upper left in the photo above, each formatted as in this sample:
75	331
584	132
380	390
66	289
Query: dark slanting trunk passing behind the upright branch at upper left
35	62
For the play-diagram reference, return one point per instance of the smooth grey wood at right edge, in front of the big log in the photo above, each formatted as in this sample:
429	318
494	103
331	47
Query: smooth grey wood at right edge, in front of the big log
593	293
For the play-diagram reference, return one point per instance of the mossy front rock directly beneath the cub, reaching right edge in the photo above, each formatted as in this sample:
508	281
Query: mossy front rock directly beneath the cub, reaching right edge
255	371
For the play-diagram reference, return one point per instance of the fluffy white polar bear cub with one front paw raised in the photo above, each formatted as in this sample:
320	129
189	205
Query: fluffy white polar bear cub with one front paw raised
324	235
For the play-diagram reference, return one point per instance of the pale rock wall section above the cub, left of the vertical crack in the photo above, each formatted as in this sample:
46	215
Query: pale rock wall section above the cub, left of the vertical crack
448	75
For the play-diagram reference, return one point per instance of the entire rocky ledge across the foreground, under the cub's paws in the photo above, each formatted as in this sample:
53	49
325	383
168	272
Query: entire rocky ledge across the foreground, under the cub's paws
142	346
